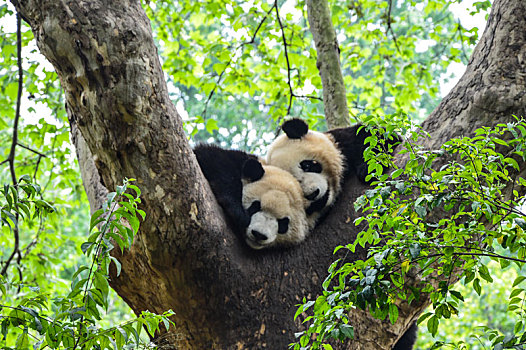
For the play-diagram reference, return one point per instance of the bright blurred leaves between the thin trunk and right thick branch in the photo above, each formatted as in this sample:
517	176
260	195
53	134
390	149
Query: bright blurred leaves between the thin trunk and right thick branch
393	52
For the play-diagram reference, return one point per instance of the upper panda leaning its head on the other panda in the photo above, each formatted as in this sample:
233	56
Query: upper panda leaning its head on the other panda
321	162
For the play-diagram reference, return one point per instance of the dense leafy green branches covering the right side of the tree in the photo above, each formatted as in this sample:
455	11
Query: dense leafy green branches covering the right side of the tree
466	177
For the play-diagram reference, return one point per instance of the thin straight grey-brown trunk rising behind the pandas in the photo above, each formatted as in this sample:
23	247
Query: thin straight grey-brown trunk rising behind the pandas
328	63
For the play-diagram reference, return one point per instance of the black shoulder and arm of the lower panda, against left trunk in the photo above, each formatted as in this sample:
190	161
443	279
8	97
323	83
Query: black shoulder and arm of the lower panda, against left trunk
223	170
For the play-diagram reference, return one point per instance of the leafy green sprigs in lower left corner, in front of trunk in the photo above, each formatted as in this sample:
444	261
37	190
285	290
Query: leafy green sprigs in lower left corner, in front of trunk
32	317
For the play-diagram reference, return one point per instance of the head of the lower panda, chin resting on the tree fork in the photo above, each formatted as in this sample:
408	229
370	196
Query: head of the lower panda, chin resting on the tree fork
274	202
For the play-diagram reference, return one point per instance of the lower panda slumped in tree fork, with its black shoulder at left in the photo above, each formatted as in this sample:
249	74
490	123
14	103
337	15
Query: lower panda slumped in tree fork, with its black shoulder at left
264	204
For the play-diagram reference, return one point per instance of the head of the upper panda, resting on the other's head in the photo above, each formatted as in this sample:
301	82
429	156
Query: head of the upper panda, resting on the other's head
313	159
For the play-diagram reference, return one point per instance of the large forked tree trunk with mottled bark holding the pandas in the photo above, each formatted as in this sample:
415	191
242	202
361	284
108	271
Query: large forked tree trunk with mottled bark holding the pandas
185	258
